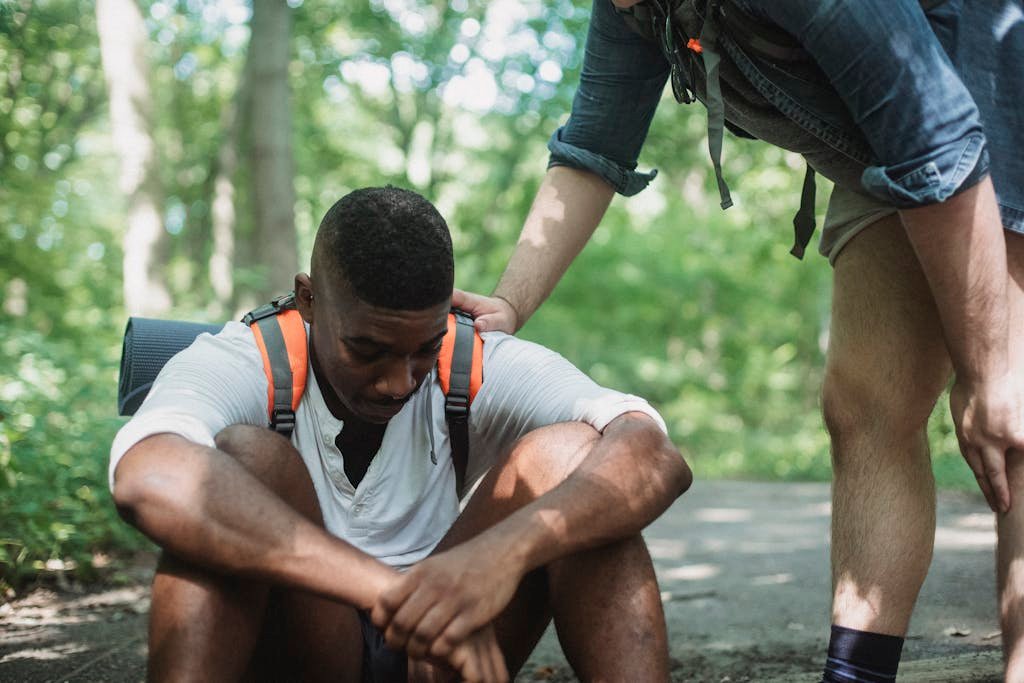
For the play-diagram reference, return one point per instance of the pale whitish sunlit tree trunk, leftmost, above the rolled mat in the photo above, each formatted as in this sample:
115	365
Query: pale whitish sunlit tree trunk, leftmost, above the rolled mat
122	39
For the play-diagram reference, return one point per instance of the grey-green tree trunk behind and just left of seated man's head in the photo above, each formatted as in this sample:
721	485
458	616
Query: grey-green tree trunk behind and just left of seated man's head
270	147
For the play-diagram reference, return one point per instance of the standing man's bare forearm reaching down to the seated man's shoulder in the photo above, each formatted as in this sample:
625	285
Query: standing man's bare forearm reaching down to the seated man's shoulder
568	208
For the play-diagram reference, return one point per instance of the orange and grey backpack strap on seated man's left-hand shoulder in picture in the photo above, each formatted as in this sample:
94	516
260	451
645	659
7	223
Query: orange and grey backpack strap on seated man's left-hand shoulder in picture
281	338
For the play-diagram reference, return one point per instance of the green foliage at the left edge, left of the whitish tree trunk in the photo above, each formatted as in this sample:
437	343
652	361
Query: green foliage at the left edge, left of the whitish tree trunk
60	317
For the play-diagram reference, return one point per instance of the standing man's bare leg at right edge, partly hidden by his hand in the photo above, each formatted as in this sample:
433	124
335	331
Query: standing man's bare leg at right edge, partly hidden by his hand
1010	556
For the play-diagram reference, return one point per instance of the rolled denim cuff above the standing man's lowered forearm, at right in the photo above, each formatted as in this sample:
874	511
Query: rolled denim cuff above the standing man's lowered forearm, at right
930	180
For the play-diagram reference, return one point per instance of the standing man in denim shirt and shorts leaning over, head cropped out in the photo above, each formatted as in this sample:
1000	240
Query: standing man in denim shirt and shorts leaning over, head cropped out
914	111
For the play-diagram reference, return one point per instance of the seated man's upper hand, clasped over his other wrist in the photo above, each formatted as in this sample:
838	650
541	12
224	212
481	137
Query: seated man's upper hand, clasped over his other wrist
433	609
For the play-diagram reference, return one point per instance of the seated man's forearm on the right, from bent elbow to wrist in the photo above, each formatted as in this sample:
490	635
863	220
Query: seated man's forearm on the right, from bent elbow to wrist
631	477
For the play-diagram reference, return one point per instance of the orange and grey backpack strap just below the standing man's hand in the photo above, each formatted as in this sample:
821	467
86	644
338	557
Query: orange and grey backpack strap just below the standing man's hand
460	370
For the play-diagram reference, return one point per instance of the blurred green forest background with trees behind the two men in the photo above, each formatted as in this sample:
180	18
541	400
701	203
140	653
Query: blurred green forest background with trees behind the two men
173	158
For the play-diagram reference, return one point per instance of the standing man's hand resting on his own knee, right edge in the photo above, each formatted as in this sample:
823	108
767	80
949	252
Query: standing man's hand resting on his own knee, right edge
990	419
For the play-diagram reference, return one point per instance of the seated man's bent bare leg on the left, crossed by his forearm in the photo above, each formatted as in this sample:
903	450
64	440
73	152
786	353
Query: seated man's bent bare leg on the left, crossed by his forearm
206	626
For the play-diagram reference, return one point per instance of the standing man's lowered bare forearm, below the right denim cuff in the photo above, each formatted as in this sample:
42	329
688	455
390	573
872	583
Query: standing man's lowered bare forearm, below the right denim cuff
962	249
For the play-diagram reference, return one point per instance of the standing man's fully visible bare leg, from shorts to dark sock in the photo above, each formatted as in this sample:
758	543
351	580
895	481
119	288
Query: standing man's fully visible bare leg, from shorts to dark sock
887	366
